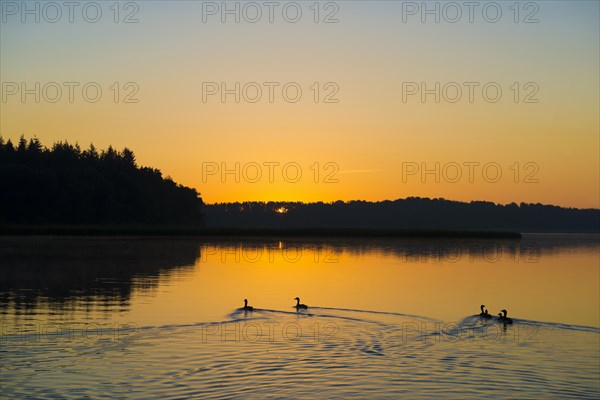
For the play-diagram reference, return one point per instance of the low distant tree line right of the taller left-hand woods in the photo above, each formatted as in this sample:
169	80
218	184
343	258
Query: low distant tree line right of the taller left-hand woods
413	213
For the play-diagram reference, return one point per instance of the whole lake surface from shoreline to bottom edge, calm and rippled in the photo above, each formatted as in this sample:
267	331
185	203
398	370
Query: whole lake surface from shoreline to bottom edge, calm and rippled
160	318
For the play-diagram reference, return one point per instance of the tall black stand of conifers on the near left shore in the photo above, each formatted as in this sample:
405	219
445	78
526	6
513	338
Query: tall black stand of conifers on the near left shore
65	185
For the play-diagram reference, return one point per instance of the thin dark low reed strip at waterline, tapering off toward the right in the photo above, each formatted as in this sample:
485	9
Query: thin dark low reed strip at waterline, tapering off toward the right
103	230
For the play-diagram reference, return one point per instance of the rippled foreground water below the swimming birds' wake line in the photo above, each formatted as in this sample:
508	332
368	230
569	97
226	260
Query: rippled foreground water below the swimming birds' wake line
327	353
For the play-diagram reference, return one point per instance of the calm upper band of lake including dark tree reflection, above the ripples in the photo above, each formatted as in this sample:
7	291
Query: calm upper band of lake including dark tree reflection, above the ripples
165	281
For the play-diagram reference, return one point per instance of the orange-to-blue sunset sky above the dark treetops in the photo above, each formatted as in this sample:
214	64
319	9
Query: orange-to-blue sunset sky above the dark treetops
542	134
